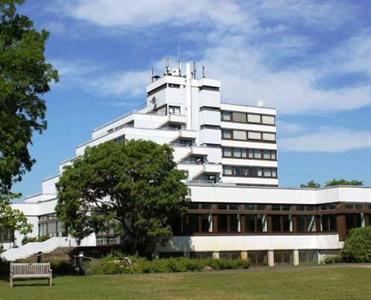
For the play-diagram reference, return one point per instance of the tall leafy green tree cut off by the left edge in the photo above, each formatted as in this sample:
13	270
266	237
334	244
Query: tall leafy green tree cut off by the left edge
25	77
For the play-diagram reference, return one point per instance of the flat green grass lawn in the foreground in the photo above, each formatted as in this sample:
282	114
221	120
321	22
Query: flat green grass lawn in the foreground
324	282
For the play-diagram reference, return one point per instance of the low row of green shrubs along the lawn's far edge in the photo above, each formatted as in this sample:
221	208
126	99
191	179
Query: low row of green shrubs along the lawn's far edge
115	265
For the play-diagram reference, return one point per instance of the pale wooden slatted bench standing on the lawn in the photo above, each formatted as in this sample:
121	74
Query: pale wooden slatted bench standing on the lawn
31	270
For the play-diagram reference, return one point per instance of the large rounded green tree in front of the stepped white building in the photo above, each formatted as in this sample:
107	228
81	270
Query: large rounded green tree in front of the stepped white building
132	184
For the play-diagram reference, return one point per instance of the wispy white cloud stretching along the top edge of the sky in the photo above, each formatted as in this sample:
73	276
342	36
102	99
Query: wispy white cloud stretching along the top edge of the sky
143	14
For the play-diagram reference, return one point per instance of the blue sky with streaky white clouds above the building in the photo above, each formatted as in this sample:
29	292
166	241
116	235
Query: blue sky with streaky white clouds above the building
309	59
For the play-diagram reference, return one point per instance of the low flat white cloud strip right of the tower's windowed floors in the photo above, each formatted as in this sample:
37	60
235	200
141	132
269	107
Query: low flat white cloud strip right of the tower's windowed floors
327	140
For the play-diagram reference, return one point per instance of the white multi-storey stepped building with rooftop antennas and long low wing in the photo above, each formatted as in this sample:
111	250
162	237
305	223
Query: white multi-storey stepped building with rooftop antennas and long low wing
230	154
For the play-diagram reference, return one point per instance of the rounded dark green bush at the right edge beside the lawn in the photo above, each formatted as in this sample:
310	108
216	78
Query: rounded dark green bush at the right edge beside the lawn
357	247
